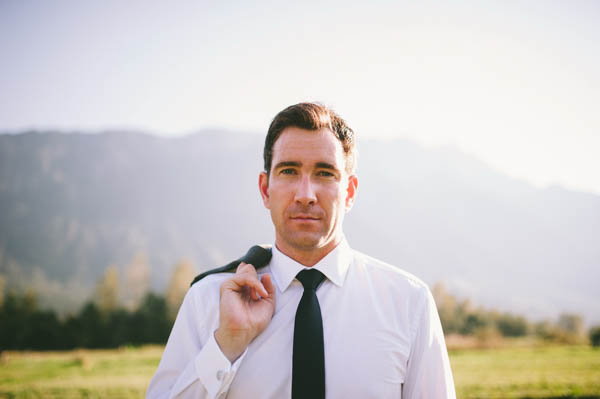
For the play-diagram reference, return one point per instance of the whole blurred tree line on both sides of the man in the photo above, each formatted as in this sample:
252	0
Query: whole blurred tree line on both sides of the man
106	321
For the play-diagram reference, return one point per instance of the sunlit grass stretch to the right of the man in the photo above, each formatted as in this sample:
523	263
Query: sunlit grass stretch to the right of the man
542	372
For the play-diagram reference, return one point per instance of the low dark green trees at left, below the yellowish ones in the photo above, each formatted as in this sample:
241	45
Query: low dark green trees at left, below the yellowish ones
26	327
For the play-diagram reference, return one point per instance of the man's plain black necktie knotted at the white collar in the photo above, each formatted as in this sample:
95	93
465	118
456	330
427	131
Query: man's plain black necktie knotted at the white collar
308	359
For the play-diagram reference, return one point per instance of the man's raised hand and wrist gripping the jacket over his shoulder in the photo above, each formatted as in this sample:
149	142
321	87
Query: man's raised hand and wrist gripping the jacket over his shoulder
246	308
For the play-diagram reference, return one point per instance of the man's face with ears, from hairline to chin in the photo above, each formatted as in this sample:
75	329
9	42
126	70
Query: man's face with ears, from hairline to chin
308	190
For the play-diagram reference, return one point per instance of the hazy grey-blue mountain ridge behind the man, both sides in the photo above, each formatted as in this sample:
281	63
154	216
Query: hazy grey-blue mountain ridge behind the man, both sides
71	204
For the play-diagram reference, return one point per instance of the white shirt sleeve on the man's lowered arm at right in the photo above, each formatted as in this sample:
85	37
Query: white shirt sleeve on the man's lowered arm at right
428	370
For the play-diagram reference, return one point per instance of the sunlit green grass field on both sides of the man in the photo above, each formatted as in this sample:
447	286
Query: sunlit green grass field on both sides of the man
541	372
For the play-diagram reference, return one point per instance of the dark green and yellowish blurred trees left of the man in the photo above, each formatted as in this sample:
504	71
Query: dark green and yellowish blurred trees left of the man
113	317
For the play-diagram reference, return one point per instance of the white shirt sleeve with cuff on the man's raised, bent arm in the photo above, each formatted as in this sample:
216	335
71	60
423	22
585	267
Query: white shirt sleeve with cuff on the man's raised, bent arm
188	367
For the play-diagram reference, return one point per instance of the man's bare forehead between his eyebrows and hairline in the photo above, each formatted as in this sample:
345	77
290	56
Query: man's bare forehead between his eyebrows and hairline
308	146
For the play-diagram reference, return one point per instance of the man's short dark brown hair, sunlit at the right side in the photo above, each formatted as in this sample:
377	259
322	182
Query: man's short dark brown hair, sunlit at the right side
311	116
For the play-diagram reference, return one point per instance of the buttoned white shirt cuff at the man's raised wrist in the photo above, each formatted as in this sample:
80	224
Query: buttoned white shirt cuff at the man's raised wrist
214	369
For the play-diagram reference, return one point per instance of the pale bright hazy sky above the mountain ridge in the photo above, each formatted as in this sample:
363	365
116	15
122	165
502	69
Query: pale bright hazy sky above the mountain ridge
513	83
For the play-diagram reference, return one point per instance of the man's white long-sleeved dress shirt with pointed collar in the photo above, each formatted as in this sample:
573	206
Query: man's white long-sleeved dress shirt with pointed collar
381	330
